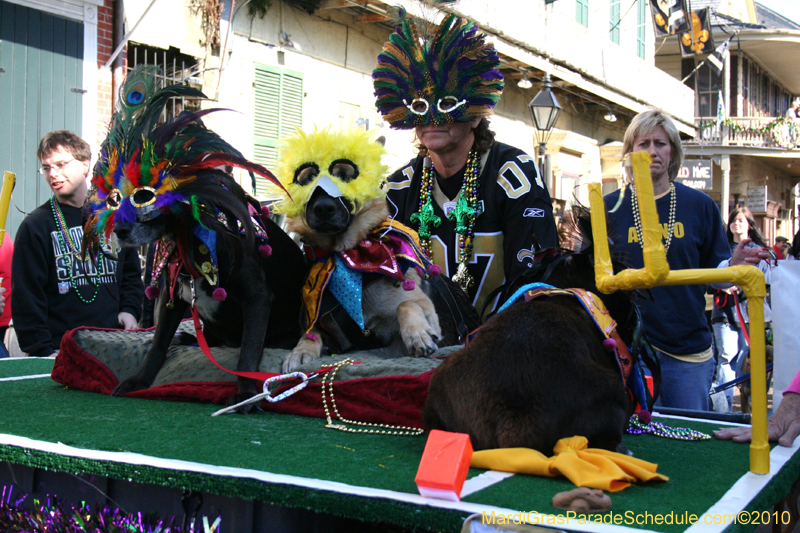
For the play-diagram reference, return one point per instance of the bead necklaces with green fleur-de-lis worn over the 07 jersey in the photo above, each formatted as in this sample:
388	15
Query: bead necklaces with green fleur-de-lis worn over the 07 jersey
463	214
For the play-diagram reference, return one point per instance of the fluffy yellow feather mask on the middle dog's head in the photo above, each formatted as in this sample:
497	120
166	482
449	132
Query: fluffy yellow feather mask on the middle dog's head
349	160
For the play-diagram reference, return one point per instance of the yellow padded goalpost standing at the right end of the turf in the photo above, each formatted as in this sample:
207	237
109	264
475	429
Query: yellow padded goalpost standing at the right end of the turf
656	272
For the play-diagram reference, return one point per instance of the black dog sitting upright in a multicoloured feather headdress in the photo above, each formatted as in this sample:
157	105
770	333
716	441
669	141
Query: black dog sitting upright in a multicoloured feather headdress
163	184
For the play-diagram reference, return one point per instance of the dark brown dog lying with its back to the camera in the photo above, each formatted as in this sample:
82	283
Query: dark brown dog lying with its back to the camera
537	372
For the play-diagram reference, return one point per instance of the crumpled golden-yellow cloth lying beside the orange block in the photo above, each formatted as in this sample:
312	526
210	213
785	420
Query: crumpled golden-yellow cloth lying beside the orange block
586	467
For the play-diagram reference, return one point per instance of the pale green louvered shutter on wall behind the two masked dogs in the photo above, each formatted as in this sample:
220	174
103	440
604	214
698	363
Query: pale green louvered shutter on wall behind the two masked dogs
278	109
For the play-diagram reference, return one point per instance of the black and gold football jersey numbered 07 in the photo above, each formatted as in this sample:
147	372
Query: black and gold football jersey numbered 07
514	206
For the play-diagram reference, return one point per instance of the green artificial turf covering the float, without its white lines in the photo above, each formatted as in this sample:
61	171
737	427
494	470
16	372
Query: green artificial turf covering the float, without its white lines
700	472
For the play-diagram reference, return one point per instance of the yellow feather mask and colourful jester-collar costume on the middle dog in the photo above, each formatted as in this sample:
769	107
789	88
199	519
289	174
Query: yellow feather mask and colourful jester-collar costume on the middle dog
332	292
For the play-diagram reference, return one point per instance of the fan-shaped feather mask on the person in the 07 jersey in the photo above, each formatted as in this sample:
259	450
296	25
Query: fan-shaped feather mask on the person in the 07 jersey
449	77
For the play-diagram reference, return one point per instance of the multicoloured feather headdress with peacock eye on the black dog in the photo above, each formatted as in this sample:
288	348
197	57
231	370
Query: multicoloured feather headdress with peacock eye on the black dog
144	167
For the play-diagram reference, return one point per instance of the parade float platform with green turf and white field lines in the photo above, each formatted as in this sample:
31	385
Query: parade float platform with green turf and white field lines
276	472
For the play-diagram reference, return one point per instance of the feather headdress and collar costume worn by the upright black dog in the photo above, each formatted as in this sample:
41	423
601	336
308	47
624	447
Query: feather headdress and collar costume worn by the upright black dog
146	169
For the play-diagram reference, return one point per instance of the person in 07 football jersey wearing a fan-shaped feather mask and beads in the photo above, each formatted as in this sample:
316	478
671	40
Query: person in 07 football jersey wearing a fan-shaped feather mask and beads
480	206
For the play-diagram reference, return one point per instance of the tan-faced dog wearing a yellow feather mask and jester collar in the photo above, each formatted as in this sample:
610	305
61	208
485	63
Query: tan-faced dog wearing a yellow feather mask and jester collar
371	284
